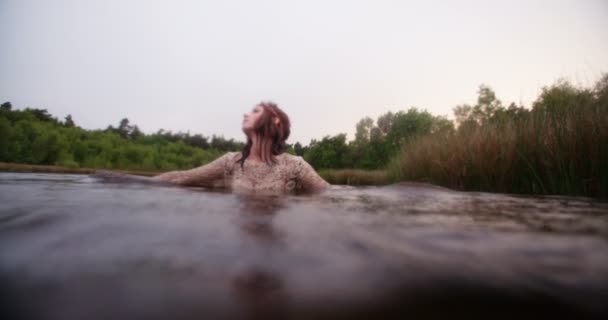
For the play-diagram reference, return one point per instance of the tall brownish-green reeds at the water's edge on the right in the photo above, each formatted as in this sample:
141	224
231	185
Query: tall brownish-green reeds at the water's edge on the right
559	147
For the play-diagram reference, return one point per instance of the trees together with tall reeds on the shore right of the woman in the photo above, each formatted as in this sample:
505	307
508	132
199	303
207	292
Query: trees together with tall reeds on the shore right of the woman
558	146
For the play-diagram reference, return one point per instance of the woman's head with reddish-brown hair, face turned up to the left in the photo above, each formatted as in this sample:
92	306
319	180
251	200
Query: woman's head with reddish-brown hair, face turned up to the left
270	127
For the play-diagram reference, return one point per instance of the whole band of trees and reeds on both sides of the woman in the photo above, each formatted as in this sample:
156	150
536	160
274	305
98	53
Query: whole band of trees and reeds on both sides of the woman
558	145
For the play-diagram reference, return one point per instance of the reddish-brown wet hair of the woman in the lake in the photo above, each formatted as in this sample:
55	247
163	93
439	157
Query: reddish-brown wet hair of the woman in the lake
272	130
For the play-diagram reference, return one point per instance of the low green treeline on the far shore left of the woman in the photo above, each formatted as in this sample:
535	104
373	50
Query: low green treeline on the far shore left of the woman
34	136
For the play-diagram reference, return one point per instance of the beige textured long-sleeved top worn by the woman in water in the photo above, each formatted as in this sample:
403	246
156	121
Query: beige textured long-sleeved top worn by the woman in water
288	174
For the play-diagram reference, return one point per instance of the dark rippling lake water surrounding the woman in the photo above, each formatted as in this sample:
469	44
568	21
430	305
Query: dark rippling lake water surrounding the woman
73	247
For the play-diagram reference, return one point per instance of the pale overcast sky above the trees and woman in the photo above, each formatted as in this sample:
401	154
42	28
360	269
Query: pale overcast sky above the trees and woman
198	65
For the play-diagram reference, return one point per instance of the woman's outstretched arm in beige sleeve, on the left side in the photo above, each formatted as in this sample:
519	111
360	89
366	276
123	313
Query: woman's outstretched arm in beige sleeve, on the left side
209	175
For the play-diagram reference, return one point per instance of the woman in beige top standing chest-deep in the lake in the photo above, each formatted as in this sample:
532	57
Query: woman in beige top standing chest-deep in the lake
261	166
